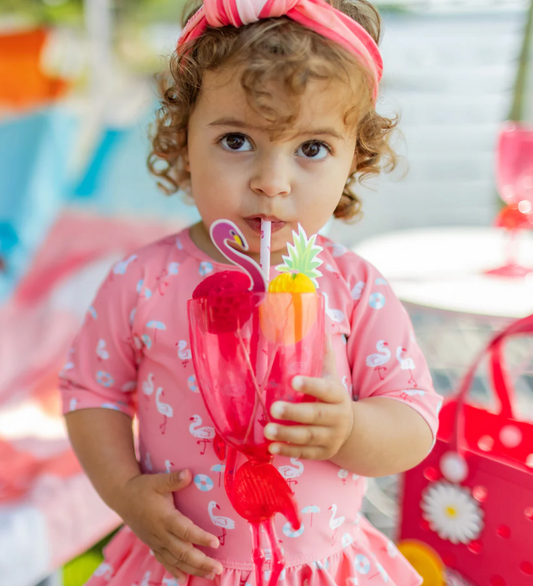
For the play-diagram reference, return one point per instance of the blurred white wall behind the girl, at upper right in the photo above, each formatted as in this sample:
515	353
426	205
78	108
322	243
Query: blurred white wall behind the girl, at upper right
451	78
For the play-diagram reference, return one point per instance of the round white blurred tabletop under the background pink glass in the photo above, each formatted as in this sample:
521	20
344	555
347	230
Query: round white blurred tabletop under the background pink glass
443	269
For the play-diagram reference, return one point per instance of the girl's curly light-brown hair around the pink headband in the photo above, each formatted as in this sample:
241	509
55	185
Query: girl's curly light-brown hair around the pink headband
273	50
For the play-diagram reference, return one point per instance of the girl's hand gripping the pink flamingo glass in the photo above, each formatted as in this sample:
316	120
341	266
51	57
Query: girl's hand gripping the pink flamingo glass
326	424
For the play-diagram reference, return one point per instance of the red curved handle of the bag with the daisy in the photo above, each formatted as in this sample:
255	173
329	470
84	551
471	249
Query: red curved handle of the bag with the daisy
500	379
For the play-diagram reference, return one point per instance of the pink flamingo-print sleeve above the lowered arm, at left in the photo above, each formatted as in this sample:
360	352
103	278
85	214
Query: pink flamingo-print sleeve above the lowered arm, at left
101	369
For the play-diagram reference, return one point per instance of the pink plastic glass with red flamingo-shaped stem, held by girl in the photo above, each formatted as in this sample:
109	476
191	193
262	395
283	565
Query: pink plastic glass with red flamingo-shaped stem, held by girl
241	371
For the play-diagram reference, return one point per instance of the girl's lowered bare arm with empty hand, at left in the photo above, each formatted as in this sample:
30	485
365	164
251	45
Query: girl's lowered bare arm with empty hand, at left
103	442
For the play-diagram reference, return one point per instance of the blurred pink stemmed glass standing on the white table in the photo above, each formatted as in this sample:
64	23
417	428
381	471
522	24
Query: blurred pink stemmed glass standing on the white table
515	186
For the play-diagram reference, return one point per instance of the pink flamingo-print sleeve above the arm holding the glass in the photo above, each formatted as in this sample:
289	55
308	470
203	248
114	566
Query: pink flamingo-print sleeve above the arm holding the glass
382	350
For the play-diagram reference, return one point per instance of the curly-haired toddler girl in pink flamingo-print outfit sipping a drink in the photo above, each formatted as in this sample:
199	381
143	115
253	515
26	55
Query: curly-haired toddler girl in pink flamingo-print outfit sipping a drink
269	114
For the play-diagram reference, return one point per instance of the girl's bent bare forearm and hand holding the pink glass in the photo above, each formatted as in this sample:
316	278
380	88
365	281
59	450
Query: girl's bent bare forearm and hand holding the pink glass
371	437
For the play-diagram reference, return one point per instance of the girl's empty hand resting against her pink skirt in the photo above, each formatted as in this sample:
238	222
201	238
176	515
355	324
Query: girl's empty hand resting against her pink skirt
147	507
